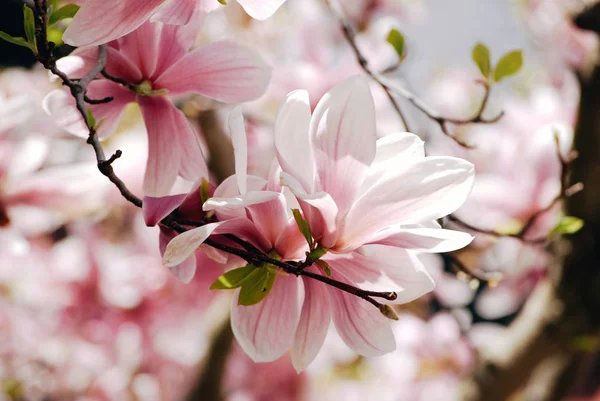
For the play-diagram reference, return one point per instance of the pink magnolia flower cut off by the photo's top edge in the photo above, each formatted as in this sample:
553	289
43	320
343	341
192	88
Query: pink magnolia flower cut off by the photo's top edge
100	21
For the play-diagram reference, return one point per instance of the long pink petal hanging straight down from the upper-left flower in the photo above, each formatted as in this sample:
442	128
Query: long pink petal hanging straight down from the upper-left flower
171	144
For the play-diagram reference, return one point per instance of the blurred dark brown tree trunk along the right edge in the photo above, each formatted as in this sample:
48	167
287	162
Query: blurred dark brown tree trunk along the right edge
566	307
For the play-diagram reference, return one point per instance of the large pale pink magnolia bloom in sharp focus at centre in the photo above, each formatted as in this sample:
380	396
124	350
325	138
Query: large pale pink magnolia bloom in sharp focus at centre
378	213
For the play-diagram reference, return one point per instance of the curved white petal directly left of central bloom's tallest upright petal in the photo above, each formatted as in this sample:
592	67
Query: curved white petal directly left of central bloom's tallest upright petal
291	139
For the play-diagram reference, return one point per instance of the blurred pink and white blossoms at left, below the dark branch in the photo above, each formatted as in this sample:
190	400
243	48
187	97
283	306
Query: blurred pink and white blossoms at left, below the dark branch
86	309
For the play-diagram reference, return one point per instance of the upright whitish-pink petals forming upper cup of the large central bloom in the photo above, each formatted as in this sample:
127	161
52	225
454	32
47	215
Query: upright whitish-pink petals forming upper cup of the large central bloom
355	189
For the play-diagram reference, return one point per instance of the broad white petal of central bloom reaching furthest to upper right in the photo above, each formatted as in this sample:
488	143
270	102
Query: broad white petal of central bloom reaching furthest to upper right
422	191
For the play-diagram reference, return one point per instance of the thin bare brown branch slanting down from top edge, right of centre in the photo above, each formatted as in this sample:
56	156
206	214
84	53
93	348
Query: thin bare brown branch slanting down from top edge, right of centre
393	90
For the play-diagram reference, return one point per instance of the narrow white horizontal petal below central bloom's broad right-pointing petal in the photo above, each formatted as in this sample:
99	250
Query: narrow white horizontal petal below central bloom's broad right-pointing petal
433	240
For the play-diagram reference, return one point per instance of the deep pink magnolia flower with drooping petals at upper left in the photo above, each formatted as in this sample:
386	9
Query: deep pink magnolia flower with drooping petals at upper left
155	58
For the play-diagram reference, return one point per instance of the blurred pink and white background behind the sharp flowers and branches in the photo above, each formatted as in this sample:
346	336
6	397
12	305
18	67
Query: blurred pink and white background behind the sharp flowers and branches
87	312
